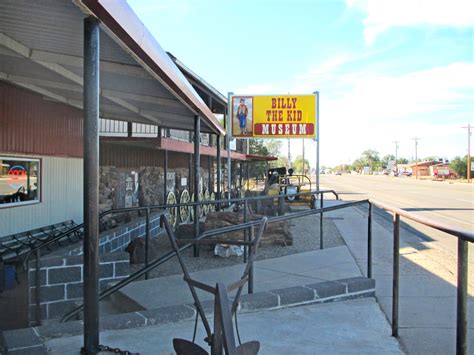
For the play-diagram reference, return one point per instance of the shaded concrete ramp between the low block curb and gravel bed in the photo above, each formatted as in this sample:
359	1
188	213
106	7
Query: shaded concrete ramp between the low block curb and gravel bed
269	274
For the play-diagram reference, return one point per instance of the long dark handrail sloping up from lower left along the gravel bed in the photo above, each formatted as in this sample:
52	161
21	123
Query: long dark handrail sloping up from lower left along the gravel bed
243	226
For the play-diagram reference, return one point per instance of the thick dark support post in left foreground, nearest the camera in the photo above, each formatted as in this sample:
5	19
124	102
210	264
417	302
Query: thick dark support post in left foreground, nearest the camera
91	184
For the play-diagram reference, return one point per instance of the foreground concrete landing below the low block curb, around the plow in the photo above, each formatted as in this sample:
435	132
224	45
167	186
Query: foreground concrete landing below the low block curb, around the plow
351	327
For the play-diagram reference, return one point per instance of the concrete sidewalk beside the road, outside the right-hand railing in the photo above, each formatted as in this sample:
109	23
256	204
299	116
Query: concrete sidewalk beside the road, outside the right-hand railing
427	313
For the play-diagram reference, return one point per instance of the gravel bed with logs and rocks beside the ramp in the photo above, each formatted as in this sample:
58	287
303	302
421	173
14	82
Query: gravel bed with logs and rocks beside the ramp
305	232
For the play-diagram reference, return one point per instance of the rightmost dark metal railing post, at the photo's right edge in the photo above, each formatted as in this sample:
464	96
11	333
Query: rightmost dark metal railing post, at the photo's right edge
461	316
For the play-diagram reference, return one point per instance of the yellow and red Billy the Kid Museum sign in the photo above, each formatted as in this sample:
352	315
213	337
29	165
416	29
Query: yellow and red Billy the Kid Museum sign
276	116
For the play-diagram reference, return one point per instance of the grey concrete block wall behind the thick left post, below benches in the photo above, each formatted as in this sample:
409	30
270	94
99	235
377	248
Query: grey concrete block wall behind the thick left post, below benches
61	276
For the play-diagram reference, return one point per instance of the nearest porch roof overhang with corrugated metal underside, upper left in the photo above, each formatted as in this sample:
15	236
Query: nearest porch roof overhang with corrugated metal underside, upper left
41	49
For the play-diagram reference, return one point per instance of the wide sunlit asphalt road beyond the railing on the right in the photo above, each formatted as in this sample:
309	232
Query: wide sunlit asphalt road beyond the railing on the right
449	203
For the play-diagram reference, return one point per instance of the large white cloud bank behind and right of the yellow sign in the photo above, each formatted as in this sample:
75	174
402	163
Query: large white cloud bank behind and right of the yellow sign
362	110
